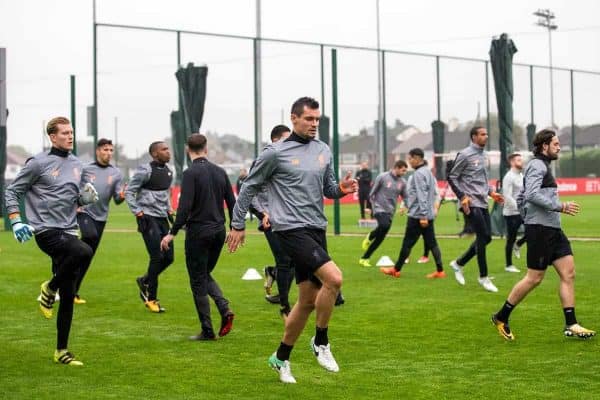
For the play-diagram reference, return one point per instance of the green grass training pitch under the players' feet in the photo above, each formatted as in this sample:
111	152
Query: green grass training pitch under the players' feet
394	338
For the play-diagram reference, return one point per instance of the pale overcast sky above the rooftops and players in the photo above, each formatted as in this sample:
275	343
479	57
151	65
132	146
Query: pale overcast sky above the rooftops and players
48	40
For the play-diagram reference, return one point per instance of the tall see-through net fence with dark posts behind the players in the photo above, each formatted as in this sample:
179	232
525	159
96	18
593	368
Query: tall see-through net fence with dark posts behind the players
136	92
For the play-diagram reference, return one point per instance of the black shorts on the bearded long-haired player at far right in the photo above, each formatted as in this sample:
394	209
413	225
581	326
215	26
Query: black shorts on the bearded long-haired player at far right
544	245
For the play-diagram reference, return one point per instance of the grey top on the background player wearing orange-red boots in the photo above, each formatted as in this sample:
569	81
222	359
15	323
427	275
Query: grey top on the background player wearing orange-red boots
421	193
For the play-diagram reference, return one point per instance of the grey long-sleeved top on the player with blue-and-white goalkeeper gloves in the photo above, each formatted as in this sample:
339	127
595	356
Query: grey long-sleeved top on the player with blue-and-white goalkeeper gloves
50	182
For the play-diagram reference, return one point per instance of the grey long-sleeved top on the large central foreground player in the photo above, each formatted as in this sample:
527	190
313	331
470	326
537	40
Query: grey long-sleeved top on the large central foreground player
298	172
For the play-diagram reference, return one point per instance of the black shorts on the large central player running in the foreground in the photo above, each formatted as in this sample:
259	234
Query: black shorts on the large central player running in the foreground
308	250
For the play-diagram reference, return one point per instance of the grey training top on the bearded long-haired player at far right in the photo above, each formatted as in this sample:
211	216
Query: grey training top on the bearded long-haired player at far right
538	200
